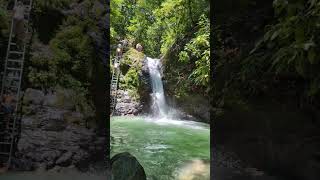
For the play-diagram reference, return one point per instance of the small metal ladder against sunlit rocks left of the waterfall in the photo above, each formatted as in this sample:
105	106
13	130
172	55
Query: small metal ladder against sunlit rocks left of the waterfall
114	85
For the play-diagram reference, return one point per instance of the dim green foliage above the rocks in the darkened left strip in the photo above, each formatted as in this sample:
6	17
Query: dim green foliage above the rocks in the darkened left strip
69	58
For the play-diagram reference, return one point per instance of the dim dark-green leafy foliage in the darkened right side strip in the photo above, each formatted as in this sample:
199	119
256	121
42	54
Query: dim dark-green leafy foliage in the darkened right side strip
282	65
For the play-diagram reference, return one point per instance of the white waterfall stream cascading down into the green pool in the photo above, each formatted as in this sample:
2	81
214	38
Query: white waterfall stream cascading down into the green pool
159	106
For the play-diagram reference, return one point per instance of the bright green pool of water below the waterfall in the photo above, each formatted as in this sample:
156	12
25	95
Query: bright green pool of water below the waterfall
165	148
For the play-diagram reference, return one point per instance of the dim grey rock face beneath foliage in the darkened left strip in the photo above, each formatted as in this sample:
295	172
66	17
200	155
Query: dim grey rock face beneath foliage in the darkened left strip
54	135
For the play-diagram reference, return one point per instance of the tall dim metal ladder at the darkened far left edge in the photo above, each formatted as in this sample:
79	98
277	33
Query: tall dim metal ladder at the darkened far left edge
11	84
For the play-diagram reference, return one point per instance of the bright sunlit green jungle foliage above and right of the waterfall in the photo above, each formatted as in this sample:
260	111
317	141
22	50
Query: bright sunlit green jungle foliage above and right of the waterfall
177	30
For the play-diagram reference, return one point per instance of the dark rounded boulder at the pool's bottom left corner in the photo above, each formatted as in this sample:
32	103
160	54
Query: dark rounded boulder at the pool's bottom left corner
124	166
